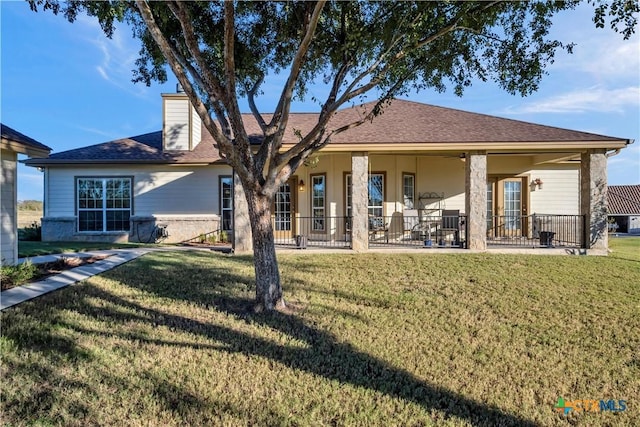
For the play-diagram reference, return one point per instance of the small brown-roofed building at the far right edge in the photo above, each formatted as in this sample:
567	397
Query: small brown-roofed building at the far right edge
624	208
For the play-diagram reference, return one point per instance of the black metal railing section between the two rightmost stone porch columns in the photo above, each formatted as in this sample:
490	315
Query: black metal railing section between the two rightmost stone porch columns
537	230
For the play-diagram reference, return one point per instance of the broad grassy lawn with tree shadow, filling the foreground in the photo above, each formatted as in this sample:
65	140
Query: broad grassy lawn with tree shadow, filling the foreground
425	339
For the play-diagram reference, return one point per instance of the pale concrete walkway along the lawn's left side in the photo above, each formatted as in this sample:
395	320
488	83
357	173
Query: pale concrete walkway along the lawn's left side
20	294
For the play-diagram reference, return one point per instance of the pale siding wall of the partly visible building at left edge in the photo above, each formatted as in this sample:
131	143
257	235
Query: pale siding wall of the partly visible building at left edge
8	200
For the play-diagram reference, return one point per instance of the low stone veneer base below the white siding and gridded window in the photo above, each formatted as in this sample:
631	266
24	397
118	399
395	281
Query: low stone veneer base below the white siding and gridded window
63	229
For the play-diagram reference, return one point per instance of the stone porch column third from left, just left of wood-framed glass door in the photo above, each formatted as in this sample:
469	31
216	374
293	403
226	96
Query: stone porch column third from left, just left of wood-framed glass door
476	199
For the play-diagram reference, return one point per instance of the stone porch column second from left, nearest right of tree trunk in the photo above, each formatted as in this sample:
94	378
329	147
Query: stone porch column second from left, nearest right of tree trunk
360	201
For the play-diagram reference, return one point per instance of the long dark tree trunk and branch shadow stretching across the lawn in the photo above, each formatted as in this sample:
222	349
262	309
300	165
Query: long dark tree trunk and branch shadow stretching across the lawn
323	355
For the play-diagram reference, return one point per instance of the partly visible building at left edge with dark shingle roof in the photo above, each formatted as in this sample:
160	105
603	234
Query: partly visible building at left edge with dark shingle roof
13	143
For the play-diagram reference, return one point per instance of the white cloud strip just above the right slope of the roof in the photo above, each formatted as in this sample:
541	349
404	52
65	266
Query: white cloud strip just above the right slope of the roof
592	99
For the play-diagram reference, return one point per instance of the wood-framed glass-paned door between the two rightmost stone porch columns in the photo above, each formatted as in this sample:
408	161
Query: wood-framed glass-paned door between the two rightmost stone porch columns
507	207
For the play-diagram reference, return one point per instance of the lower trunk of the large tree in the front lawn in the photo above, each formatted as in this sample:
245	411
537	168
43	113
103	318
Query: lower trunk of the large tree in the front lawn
268	287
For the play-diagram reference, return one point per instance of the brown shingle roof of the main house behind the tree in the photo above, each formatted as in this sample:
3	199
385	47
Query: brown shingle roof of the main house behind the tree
403	123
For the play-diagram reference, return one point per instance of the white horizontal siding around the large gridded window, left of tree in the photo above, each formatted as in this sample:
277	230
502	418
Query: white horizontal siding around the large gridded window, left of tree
157	190
